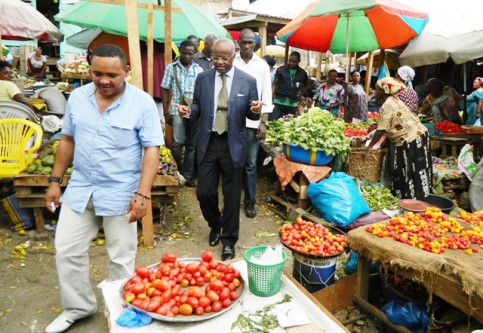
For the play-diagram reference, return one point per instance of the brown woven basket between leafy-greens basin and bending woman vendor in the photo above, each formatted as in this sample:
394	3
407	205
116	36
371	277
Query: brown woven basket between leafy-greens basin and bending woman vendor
366	165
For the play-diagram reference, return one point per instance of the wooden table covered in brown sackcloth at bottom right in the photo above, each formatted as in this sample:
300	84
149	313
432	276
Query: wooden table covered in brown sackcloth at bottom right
454	276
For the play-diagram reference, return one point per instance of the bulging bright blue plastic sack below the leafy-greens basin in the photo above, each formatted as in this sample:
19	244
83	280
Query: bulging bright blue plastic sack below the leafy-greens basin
338	199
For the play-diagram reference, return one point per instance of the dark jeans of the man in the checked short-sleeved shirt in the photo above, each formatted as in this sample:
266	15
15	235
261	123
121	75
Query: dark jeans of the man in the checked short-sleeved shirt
185	134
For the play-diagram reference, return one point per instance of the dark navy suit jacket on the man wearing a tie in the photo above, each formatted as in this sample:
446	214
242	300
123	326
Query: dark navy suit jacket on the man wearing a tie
243	92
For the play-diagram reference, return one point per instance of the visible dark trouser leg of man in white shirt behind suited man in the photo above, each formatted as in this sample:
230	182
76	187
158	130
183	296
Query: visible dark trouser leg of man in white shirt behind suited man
250	169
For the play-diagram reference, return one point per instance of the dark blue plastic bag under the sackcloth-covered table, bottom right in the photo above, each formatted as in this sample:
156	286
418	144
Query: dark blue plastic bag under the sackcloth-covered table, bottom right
408	314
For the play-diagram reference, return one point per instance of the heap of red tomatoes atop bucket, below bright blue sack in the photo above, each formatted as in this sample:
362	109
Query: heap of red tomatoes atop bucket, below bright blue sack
312	239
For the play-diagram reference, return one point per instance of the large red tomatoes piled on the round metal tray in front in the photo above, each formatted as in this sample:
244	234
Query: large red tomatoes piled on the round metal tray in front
175	287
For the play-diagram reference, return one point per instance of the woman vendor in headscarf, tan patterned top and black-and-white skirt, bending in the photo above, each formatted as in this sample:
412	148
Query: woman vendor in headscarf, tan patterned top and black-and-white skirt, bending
409	162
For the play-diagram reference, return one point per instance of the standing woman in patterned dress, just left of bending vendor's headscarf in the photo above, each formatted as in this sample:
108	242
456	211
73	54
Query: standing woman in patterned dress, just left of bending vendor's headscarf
356	106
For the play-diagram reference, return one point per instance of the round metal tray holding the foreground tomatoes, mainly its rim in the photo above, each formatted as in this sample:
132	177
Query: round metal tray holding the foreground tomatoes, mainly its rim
241	290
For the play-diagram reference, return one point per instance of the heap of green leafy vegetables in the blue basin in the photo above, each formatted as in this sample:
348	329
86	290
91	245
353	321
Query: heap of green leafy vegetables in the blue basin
315	130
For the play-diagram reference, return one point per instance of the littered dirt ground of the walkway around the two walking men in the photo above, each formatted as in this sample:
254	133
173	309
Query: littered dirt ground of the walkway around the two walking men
29	284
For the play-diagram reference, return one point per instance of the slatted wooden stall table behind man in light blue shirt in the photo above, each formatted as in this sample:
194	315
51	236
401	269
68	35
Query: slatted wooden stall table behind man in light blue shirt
30	190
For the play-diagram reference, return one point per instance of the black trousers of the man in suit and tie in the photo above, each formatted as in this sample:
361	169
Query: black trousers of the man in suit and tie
217	162
